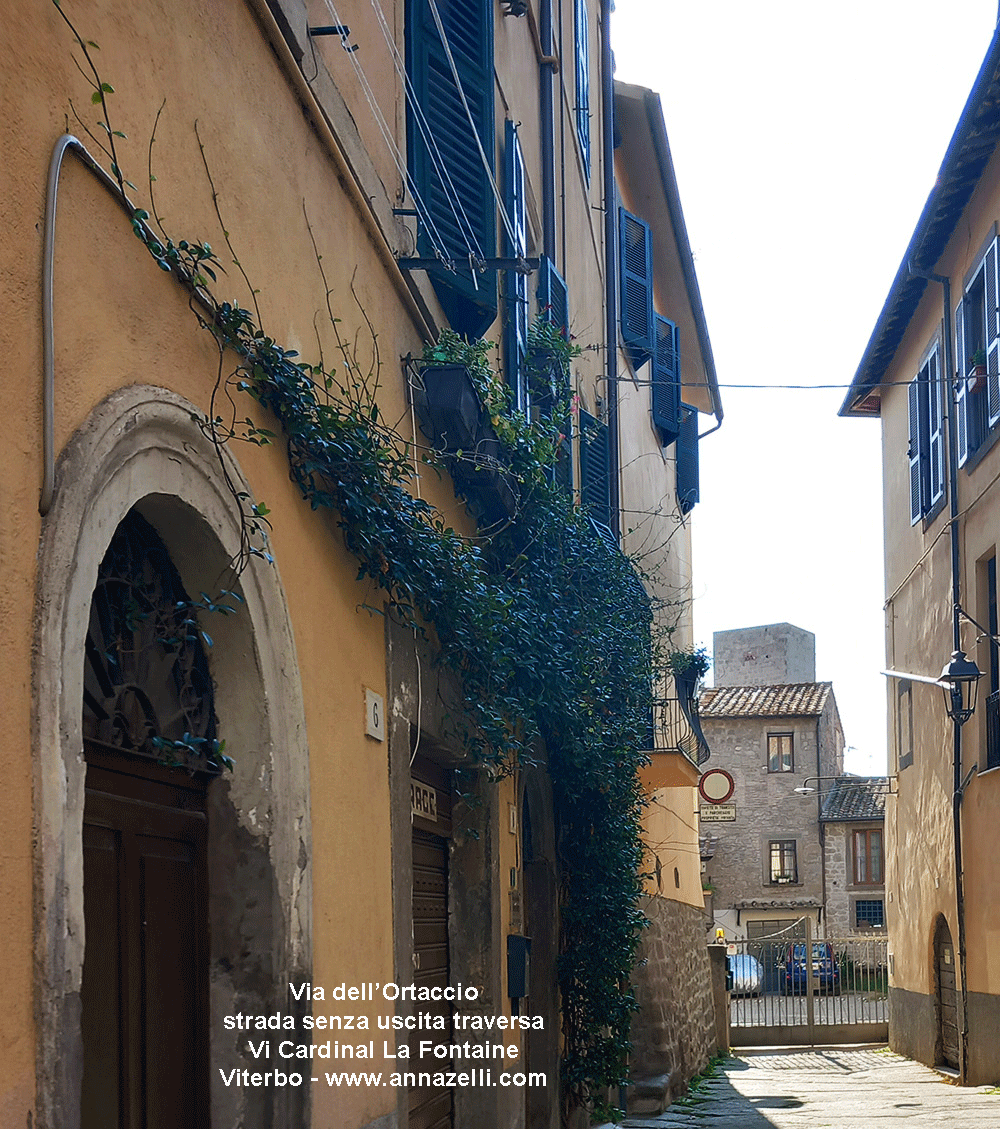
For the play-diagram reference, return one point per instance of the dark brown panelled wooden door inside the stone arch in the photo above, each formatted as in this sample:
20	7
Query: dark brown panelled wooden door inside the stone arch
145	1009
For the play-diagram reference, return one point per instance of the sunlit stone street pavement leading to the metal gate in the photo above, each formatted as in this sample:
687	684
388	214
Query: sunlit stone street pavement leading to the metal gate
828	1089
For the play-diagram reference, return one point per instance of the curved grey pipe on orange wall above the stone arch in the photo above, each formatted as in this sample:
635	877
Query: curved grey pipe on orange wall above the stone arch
66	144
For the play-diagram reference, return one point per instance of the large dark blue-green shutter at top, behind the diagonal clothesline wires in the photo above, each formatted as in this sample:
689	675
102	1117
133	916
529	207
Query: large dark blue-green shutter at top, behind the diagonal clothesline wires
459	220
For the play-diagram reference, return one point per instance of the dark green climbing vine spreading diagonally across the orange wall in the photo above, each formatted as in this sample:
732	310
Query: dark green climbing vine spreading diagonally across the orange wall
543	622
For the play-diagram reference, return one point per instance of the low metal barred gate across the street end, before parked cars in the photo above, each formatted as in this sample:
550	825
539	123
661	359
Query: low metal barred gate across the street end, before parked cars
794	988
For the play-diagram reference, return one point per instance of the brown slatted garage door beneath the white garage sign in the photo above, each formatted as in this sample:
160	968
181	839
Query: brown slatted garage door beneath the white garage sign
431	1107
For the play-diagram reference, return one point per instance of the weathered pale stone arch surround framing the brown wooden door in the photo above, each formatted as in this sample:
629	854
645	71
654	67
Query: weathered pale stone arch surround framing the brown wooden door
143	449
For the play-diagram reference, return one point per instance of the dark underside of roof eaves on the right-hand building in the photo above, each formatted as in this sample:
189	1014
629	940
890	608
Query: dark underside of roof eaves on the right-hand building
969	152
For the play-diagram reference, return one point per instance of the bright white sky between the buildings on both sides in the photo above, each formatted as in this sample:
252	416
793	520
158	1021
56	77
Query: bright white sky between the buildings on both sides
806	138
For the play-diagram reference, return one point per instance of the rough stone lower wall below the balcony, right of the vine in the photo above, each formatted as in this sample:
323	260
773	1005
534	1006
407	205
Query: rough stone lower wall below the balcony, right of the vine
674	1031
